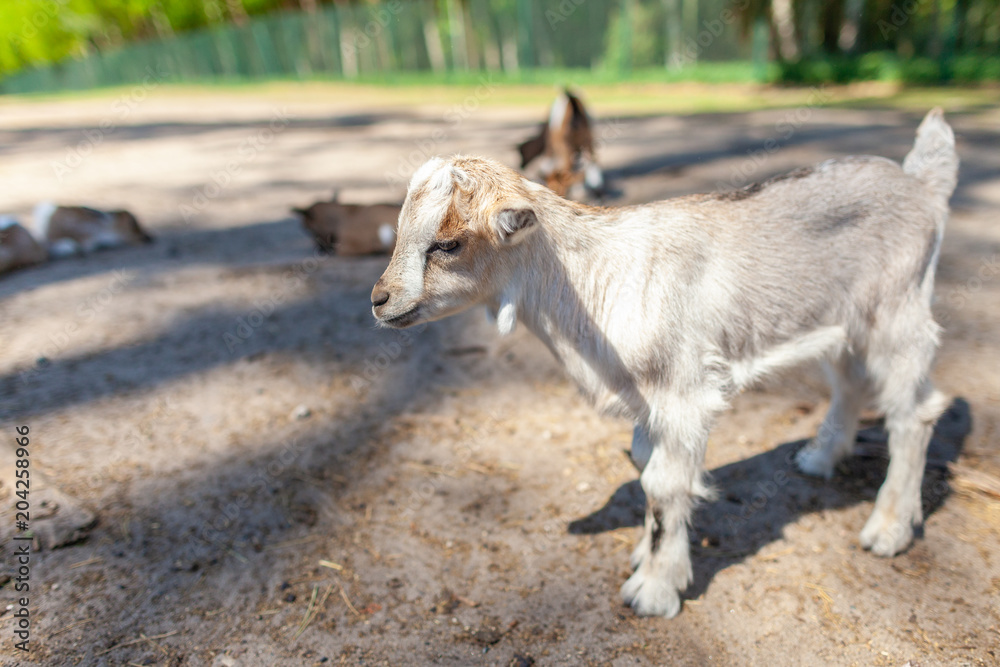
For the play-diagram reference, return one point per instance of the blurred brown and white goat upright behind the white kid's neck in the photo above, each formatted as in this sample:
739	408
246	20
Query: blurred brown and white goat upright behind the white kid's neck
566	145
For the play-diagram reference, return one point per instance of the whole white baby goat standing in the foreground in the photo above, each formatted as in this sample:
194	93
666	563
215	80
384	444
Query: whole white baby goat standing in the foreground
662	312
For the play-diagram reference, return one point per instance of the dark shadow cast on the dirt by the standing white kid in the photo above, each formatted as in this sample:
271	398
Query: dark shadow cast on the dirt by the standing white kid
760	495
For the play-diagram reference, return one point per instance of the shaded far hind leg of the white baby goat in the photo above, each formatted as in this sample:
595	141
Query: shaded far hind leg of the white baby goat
835	439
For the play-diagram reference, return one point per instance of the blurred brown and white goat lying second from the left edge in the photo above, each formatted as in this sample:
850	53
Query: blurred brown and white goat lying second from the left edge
70	230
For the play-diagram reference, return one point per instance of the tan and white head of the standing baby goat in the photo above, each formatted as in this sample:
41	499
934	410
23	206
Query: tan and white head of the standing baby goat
460	229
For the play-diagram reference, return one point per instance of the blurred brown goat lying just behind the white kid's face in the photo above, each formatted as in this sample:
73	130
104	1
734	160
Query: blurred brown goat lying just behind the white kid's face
351	229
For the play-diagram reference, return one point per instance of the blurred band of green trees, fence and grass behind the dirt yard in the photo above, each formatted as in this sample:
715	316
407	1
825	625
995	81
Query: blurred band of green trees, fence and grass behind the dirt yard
104	42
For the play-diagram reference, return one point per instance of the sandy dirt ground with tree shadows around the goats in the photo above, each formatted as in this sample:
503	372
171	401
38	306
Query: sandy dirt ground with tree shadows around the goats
279	483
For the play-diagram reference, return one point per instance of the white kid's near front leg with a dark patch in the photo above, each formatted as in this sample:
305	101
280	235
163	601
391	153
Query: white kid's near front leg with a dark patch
671	479
